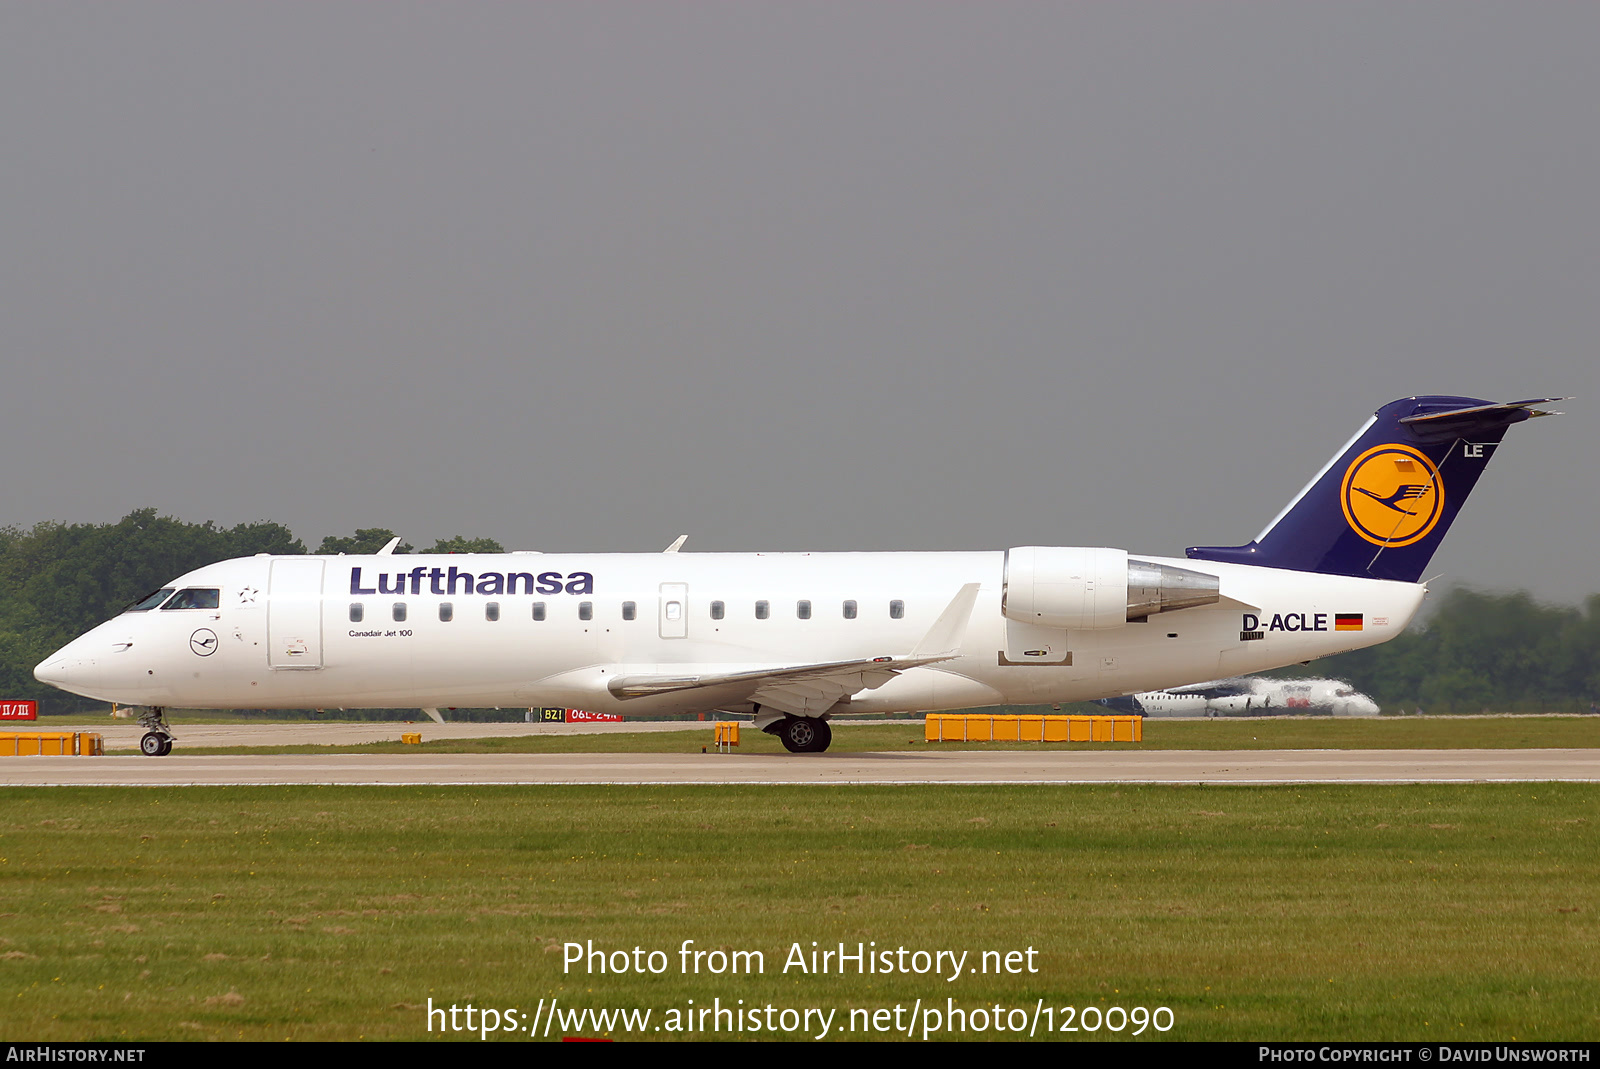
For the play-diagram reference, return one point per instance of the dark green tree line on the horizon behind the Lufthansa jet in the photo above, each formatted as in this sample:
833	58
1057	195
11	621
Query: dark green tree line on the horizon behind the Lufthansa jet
1476	652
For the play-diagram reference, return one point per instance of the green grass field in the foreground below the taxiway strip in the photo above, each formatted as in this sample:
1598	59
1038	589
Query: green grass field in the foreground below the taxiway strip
1250	913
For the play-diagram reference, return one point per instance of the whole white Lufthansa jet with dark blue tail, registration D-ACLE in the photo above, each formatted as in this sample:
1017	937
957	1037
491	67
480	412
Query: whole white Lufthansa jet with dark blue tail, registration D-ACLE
796	639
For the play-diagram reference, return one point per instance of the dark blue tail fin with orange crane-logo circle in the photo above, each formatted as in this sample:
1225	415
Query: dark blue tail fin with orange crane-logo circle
1383	505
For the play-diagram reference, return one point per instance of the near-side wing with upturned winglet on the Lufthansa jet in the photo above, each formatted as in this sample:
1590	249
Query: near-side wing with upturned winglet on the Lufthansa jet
814	689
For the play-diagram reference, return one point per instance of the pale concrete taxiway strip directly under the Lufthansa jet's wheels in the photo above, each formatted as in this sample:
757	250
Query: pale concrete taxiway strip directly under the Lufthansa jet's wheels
905	767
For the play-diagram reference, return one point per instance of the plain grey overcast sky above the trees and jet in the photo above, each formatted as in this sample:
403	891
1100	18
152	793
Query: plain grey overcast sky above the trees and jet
793	276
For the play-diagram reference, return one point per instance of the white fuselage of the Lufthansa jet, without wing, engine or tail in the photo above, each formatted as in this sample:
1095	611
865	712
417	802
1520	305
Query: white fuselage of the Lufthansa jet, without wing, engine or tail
534	630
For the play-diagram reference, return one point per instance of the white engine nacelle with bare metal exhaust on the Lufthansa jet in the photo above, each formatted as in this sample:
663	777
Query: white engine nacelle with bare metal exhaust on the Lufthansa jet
1090	590
